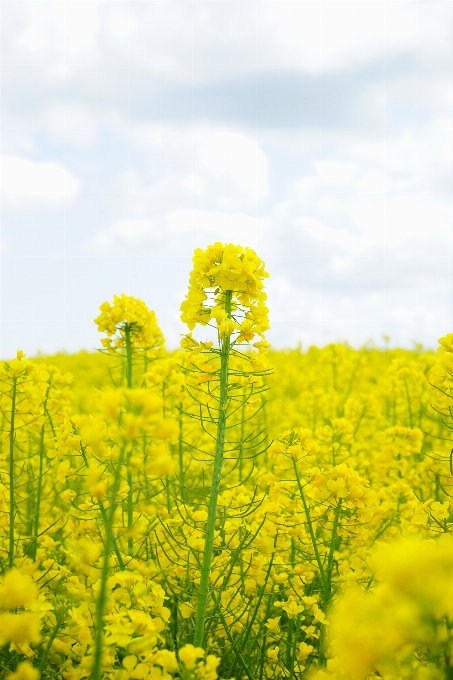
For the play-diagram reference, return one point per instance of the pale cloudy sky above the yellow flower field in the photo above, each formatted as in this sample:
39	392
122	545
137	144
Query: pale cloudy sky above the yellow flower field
318	133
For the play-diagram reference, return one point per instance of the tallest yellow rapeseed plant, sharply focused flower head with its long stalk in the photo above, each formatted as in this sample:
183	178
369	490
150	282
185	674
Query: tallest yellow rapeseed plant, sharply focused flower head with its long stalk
226	293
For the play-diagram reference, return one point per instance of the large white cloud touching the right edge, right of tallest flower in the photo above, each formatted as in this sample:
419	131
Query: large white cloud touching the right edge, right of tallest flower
373	194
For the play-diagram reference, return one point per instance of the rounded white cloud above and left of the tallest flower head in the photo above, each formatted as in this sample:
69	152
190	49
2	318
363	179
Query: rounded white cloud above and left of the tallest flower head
192	166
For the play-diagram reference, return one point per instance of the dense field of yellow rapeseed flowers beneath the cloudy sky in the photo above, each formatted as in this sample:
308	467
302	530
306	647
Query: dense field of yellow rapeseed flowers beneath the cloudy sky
225	510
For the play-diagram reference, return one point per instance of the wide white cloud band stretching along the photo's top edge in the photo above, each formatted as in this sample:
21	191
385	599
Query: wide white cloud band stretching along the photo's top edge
194	42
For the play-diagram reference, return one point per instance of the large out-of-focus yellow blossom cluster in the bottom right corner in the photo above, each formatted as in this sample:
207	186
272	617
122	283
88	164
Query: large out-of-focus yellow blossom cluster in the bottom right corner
378	632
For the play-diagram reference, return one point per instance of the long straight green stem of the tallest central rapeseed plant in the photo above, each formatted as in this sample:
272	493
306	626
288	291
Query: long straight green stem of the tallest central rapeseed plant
202	603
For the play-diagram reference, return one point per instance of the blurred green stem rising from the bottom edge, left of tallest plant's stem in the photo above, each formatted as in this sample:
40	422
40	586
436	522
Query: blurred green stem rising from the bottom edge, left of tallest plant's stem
102	597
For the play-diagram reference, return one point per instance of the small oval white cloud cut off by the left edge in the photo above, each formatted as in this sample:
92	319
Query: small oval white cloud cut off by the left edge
34	185
